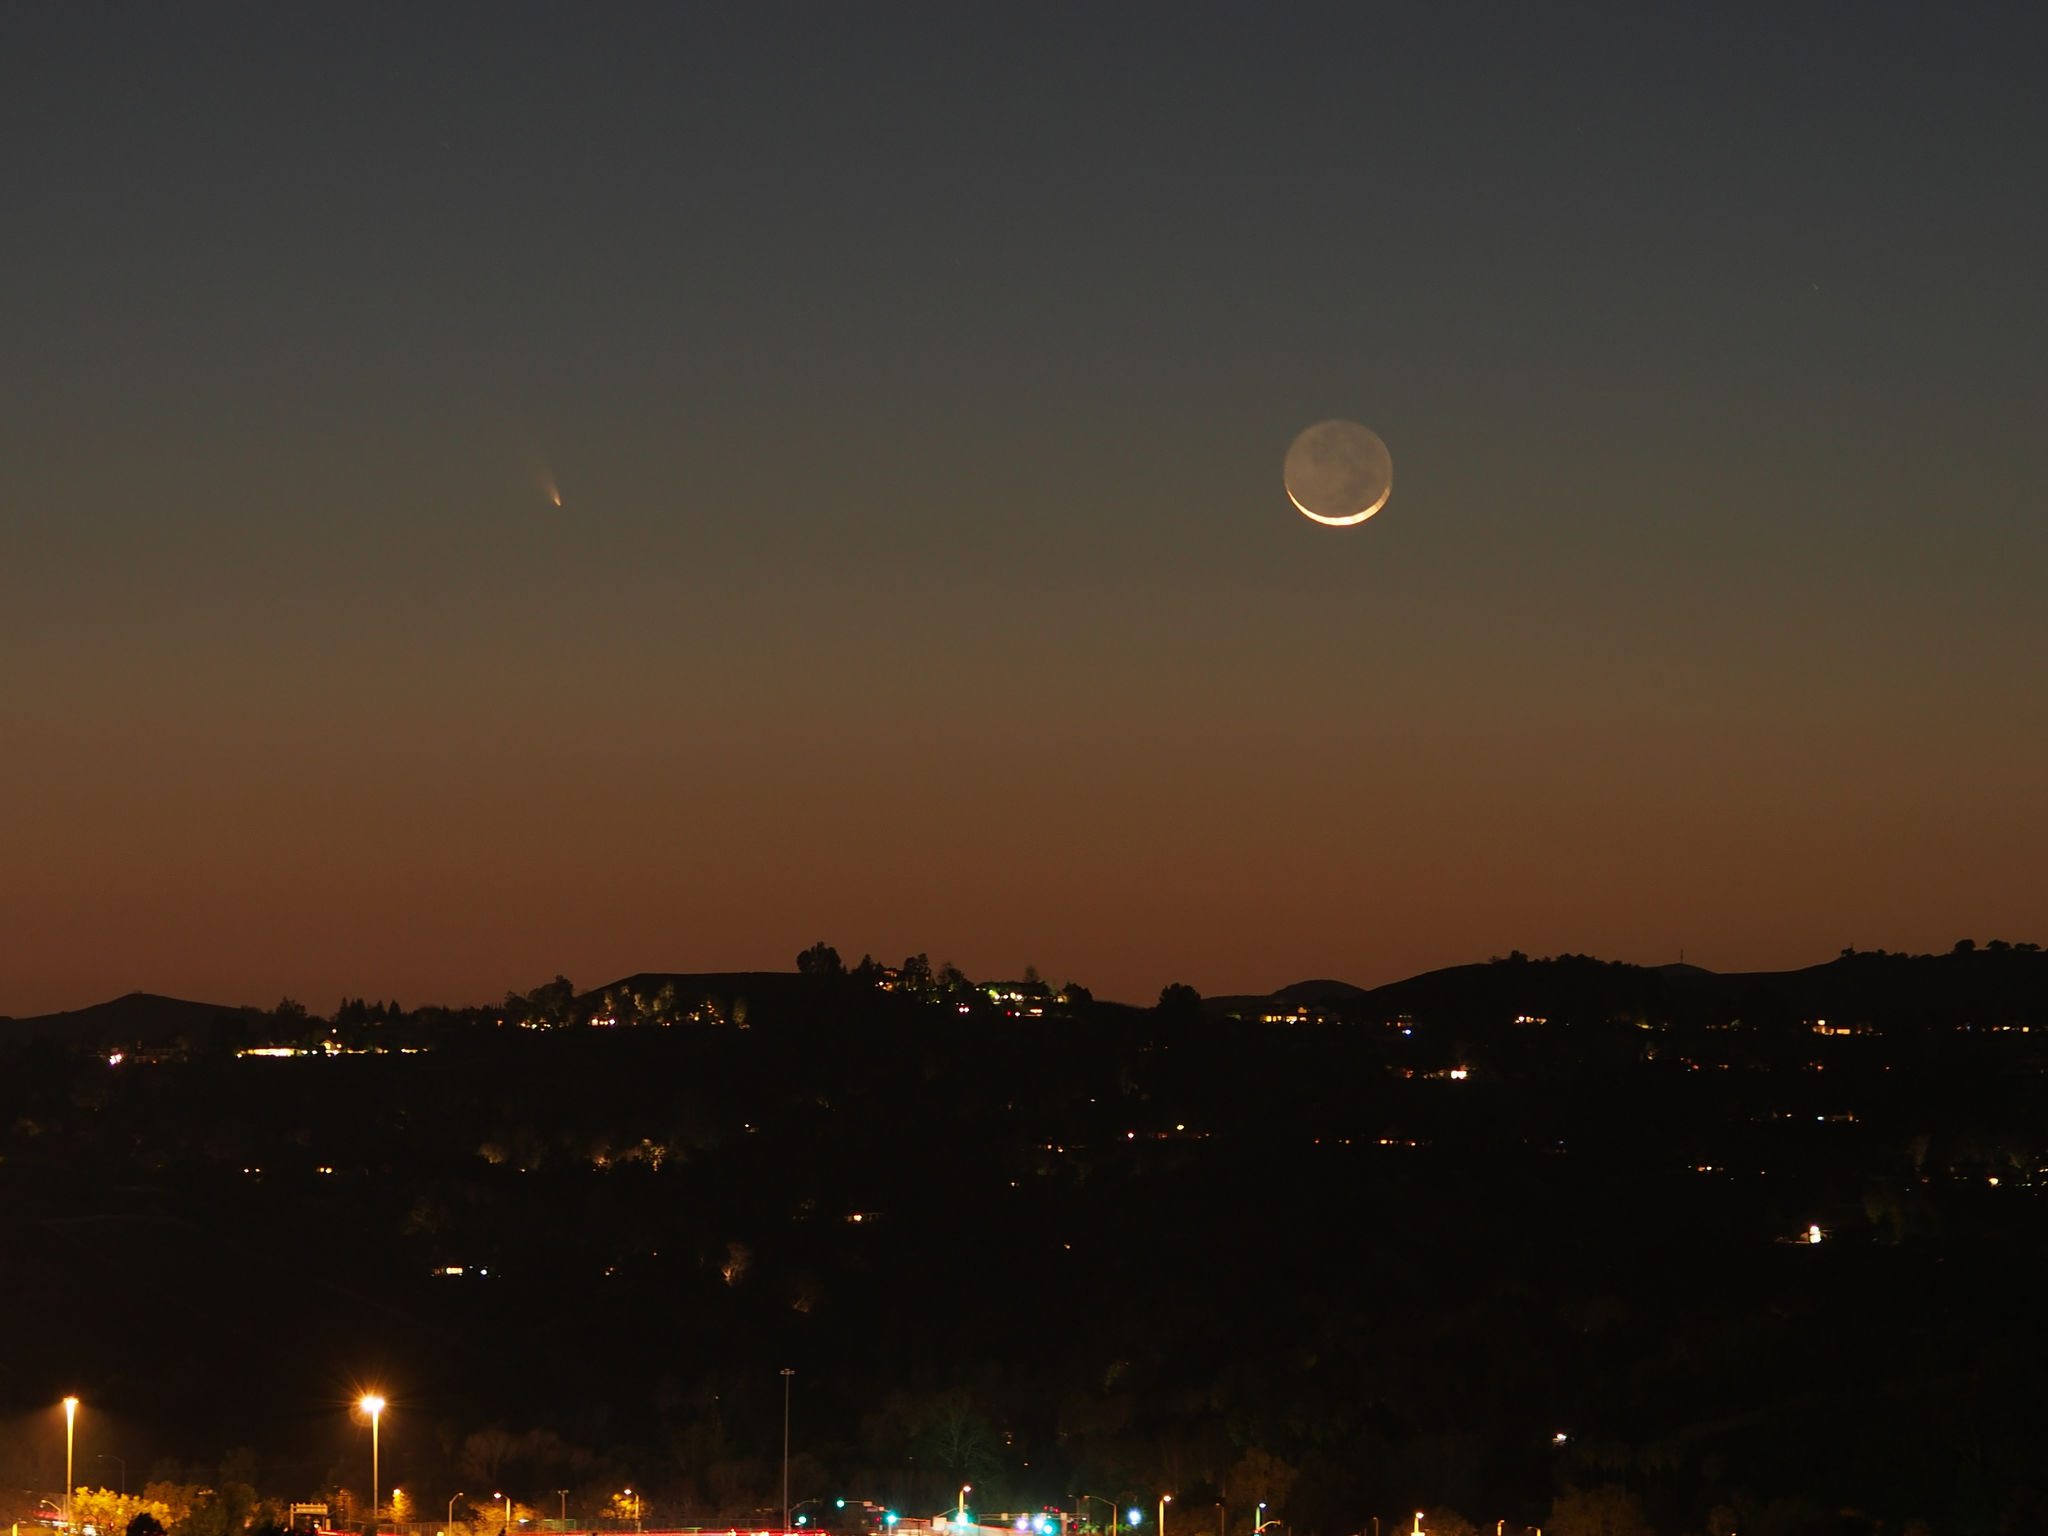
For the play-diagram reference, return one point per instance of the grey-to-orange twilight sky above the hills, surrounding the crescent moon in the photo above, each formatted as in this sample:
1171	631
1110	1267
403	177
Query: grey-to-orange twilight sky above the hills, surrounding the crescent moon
916	384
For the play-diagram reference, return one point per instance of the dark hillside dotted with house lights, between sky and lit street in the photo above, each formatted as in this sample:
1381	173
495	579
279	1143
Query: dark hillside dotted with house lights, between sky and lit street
1525	1242
